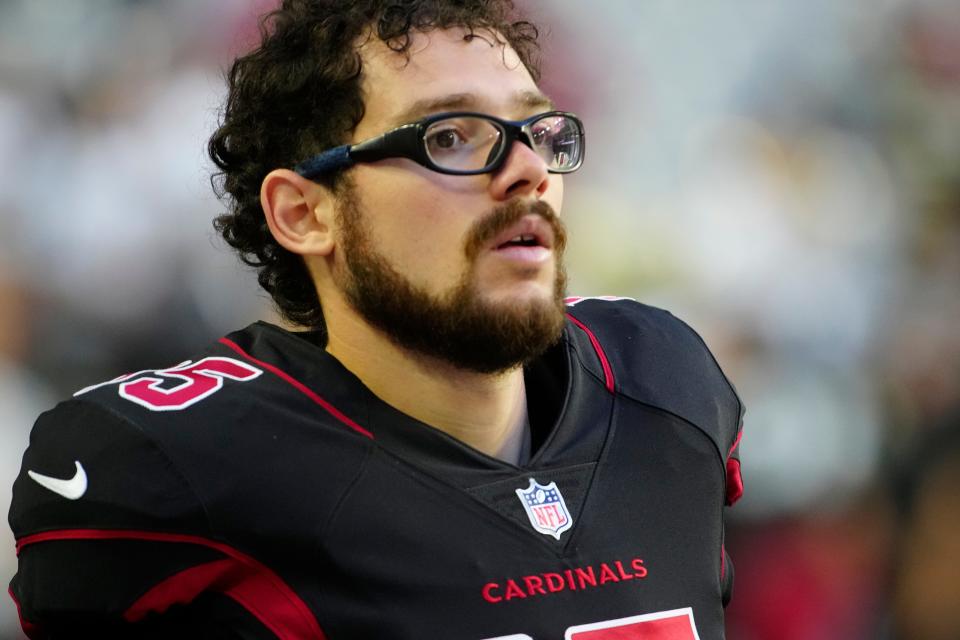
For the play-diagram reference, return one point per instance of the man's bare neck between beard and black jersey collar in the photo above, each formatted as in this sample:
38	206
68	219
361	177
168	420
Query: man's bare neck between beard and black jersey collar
486	411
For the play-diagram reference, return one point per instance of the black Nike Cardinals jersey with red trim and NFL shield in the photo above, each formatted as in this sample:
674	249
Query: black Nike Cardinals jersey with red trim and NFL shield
260	490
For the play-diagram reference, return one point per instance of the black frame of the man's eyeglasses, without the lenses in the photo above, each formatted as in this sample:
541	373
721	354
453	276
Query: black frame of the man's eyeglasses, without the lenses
407	141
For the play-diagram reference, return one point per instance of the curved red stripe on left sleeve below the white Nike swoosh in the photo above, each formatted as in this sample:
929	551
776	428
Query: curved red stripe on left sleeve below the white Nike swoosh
248	582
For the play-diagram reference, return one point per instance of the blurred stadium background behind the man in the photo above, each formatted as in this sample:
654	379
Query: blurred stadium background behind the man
784	175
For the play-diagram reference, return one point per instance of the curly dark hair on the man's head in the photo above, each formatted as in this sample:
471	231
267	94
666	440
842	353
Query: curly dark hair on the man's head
299	93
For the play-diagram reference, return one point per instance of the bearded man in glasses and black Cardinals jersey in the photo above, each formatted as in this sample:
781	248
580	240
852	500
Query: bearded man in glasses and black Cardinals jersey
449	451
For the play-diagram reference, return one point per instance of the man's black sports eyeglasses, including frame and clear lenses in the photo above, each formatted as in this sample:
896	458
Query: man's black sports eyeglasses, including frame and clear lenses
463	143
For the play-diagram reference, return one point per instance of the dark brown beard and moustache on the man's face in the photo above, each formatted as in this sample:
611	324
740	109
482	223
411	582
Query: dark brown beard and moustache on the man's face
458	327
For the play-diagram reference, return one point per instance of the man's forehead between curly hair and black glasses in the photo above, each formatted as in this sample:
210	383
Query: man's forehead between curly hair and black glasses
444	71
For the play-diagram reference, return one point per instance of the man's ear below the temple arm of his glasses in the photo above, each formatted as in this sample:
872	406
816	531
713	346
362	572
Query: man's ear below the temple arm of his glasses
299	212
